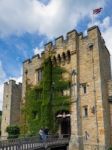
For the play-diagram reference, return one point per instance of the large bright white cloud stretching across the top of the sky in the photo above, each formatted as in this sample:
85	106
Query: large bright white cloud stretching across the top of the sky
53	19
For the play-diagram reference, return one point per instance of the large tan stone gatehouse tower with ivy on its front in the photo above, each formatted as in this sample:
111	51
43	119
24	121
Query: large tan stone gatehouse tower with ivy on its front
83	66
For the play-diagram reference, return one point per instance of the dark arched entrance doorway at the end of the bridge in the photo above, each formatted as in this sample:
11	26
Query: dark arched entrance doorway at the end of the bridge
64	123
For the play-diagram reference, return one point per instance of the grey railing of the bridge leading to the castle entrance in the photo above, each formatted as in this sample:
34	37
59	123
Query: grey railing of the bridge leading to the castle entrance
29	143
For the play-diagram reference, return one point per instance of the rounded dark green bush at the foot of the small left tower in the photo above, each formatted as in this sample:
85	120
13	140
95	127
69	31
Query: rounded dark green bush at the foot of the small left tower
13	131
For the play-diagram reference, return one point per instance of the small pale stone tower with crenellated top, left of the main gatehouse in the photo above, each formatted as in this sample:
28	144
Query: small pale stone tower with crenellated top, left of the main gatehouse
11	106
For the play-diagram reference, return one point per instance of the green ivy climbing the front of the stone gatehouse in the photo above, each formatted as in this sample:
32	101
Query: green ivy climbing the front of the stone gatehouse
43	101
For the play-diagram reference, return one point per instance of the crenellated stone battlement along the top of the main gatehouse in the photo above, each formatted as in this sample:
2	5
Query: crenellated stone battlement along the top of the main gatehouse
60	43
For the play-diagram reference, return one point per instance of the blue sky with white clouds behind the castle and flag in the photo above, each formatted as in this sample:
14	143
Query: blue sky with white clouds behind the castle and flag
26	25
